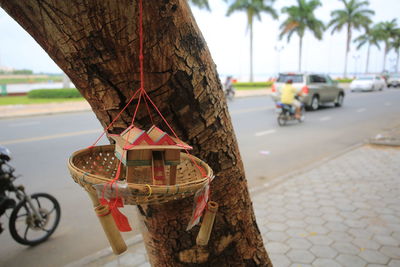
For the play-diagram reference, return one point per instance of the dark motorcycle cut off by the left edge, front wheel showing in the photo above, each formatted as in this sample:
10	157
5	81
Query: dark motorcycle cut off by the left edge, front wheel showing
34	218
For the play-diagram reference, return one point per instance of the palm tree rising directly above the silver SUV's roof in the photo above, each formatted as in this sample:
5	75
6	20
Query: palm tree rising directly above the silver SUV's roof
300	18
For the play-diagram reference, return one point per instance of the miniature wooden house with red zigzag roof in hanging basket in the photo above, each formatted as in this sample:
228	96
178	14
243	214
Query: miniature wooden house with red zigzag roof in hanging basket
149	156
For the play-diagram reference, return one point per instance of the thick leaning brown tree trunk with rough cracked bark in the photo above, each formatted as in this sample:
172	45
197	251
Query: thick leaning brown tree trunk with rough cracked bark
96	43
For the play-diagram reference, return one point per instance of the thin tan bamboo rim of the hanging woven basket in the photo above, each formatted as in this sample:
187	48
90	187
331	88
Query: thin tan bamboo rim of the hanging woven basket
144	188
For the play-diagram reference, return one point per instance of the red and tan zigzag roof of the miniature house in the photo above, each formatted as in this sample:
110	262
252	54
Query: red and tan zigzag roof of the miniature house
135	138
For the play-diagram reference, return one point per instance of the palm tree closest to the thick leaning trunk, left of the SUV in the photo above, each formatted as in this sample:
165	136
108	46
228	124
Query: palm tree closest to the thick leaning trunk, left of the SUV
253	9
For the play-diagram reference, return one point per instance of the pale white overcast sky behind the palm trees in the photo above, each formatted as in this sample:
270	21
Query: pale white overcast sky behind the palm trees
228	41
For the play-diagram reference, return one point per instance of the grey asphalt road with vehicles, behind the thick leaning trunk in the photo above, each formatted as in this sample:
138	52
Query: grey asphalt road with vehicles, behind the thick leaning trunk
41	146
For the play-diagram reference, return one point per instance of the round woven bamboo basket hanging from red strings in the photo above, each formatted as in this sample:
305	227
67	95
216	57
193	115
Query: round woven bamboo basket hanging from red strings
98	165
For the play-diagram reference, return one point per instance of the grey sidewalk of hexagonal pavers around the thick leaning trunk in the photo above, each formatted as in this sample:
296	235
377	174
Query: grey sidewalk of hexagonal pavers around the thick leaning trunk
344	212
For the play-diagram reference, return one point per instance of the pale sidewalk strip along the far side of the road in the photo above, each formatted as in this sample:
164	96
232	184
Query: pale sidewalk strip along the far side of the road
12	111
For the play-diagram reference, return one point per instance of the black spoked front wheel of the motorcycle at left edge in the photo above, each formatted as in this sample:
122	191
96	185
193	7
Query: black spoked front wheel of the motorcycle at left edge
29	230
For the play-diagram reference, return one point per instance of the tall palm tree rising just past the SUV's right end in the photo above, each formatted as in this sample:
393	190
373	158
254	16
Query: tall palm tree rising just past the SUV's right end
354	15
